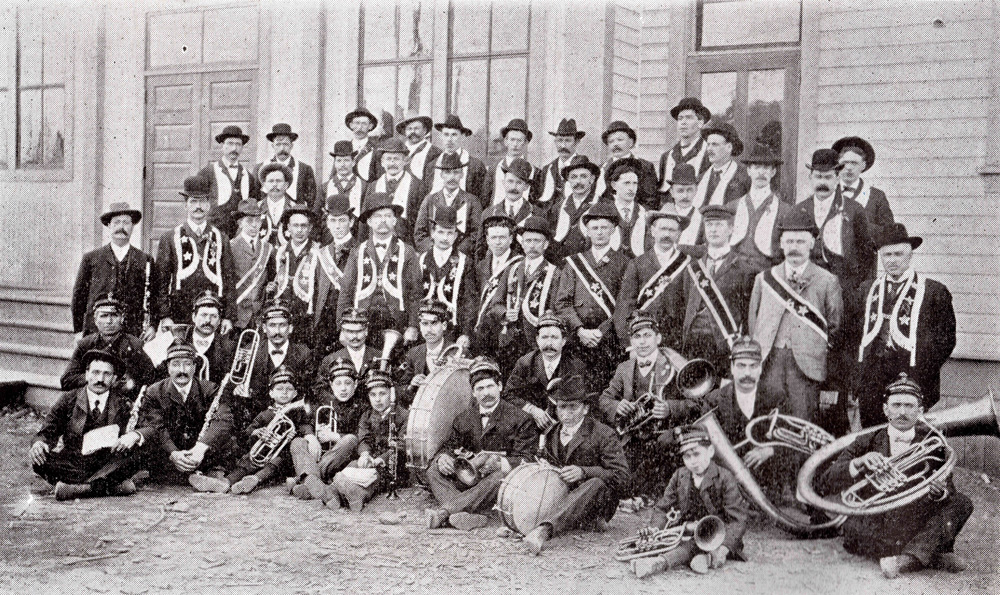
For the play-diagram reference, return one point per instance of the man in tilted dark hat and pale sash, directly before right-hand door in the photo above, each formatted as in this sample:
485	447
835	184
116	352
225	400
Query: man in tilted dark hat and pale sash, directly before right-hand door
726	179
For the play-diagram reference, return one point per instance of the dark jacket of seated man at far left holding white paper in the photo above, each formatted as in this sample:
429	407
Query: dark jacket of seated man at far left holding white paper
68	418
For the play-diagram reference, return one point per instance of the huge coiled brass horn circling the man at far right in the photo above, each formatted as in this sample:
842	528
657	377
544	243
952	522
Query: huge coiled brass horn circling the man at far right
909	474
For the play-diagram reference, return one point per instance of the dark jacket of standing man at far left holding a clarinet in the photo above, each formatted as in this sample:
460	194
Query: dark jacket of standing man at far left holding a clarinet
100	273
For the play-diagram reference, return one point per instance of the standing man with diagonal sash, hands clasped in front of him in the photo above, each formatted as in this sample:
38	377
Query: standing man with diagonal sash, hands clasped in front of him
587	292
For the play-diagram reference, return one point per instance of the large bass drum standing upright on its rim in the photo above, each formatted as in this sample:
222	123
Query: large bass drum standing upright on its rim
446	393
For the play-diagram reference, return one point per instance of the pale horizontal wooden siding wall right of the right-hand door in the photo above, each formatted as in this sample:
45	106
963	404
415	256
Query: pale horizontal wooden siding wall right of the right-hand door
920	93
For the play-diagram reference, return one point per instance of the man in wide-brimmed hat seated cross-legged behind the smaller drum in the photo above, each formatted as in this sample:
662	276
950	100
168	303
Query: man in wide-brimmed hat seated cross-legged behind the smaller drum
590	461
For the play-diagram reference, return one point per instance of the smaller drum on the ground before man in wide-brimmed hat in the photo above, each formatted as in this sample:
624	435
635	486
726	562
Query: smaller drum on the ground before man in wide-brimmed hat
528	494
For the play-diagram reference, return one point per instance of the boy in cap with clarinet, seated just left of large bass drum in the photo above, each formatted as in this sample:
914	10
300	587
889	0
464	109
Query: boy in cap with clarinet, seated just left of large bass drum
377	439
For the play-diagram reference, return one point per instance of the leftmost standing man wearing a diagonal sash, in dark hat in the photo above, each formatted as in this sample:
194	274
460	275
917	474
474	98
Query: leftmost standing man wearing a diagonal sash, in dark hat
251	255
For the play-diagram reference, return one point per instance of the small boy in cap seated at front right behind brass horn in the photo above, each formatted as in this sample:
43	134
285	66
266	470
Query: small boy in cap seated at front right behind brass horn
699	489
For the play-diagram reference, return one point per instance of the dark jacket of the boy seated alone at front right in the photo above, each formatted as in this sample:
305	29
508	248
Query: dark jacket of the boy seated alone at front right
720	494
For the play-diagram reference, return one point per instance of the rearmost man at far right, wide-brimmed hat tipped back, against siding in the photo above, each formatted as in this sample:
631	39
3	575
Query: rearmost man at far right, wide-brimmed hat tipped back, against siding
856	157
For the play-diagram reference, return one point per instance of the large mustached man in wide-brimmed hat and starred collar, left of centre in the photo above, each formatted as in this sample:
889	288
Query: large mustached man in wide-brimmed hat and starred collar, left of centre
382	274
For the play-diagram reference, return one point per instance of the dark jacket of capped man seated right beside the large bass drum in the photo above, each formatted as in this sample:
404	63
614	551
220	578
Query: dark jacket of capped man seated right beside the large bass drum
510	430
